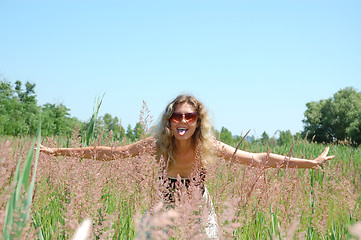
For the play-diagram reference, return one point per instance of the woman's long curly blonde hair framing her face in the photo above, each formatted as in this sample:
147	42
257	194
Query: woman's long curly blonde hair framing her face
203	138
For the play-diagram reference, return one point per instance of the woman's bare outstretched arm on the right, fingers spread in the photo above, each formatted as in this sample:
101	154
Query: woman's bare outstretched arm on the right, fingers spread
270	159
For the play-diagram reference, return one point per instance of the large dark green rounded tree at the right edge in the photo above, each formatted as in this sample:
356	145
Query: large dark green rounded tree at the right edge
336	118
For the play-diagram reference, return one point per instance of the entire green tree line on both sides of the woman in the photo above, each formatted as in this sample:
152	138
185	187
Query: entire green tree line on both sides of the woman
335	119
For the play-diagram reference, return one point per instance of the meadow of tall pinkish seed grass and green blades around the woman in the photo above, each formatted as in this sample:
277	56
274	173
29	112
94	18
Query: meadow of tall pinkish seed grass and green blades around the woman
250	203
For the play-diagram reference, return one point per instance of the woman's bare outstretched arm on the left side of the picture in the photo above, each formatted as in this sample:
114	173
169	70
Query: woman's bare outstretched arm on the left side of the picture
101	153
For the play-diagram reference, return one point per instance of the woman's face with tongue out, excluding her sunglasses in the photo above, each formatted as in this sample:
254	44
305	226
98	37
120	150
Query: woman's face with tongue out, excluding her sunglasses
184	130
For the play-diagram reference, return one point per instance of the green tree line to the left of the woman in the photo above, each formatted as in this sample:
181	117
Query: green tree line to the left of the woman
20	115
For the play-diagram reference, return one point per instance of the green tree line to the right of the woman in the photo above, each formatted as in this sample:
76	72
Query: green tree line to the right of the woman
333	120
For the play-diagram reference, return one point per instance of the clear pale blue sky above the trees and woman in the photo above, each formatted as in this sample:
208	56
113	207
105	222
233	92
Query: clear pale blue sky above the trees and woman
254	64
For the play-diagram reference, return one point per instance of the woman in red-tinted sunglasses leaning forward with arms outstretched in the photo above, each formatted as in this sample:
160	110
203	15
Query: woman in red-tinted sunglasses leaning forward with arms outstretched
185	142
